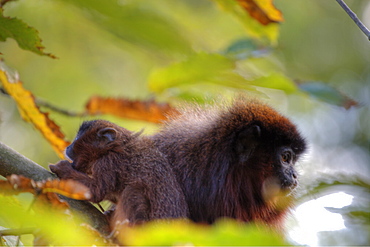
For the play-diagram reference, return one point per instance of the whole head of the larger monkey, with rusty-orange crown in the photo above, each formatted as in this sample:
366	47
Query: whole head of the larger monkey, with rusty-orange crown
267	145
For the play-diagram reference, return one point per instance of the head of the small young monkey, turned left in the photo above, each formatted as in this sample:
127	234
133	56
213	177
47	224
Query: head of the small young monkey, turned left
95	140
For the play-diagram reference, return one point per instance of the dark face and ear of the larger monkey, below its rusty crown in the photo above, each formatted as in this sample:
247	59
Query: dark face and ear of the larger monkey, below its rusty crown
270	156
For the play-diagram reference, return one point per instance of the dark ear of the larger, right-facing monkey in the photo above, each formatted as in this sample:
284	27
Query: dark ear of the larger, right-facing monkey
246	141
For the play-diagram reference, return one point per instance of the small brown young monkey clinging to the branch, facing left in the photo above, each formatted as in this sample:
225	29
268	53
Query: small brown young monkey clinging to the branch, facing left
126	169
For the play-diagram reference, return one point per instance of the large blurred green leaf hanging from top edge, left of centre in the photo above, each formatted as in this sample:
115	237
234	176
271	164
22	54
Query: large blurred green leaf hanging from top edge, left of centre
136	23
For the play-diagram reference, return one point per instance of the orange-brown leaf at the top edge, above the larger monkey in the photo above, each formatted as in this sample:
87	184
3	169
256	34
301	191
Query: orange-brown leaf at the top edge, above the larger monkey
263	11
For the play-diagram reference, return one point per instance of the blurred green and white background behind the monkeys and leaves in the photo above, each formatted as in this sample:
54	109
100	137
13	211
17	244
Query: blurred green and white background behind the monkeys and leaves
112	48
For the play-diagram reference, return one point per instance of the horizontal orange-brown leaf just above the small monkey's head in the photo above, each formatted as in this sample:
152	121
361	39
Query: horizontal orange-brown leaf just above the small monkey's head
150	111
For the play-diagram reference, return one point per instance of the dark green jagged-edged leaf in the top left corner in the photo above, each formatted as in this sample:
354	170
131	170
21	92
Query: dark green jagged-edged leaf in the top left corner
27	37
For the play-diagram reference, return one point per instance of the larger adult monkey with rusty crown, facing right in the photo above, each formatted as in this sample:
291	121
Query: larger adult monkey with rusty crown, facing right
234	161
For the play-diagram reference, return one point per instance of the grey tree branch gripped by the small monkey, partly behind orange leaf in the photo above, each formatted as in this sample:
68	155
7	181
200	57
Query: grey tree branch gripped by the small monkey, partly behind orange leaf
12	162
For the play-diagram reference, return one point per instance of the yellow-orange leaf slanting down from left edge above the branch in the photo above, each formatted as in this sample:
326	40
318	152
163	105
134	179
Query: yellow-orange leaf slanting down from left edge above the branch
30	112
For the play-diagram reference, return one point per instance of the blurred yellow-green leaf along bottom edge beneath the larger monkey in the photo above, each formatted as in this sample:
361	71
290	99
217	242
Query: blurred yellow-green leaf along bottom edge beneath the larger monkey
180	232
